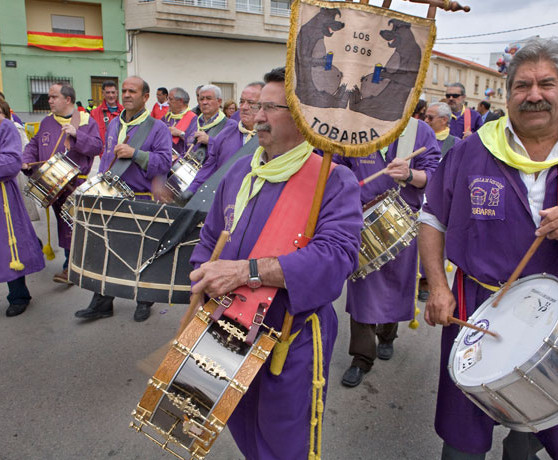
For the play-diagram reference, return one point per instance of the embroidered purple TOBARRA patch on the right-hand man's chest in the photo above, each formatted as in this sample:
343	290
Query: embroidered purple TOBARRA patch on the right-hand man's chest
487	197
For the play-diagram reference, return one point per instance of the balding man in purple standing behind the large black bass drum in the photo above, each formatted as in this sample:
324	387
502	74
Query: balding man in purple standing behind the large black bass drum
150	159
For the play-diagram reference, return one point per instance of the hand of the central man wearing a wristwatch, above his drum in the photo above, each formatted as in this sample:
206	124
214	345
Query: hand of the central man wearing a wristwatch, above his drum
220	277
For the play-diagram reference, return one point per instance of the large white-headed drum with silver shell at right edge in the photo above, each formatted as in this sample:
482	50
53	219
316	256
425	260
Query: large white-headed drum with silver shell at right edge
514	379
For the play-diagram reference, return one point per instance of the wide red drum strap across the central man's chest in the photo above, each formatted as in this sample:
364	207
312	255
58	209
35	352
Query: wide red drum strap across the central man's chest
282	234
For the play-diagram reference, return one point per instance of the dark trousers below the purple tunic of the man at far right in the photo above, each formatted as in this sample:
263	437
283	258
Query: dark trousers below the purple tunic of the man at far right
517	446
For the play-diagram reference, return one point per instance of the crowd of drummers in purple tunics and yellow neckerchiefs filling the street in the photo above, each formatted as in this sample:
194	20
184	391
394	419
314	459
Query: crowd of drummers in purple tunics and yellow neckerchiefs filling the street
275	419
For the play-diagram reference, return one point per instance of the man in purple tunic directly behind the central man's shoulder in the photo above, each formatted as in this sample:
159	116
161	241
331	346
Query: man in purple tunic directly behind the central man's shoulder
233	137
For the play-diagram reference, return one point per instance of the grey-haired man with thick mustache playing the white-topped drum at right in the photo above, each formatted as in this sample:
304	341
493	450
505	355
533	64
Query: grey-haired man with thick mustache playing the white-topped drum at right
493	193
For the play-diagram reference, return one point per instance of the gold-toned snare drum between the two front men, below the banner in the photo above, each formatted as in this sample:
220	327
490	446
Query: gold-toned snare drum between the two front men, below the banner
389	227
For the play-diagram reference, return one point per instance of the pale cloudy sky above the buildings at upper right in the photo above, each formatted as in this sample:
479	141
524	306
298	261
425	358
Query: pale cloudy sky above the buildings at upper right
487	16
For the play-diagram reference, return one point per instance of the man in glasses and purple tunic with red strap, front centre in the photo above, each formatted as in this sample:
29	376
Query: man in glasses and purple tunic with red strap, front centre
275	418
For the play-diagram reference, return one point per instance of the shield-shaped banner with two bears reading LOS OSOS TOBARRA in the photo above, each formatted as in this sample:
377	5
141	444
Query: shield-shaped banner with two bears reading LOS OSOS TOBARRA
355	73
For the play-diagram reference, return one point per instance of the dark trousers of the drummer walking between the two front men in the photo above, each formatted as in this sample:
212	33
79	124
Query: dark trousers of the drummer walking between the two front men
362	346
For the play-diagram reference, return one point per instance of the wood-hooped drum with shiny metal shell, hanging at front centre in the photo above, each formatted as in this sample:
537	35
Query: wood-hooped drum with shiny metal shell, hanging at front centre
199	384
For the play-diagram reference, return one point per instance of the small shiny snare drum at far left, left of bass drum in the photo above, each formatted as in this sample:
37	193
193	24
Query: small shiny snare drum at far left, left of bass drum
48	182
